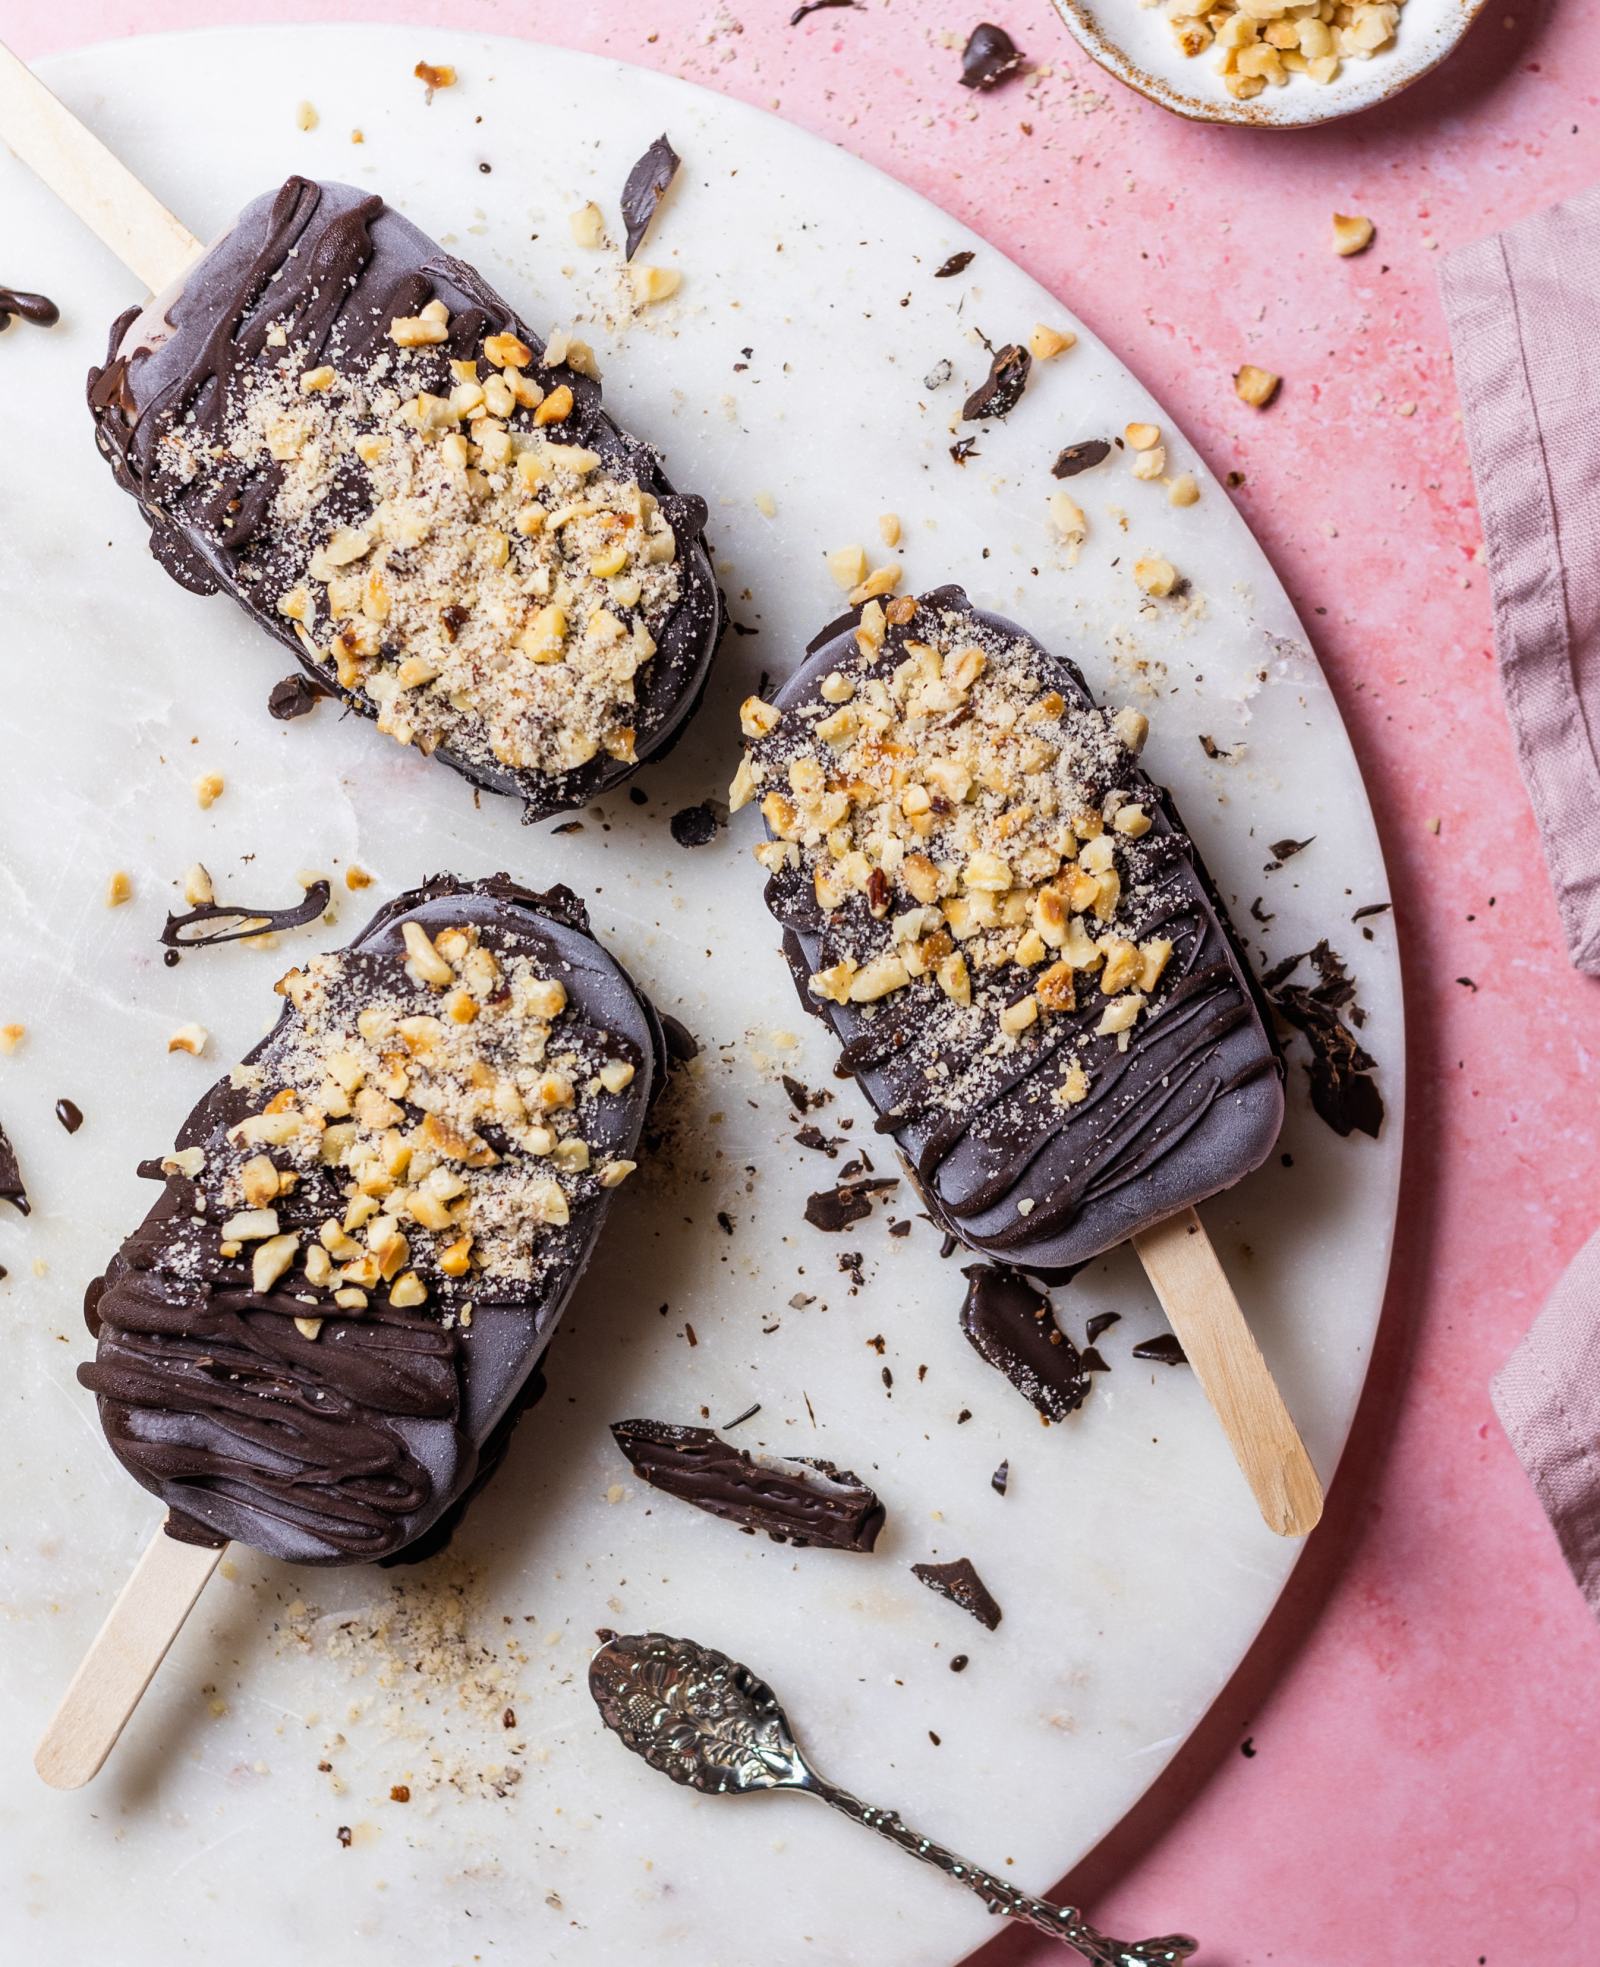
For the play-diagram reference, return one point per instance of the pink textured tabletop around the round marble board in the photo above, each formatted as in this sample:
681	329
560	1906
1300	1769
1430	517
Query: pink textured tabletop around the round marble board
1426	1773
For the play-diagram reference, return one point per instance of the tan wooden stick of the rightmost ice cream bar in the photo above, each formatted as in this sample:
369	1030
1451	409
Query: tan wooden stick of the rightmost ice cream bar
1207	1319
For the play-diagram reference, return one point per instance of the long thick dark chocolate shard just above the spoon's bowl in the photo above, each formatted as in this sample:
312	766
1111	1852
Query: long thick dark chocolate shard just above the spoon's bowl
798	1502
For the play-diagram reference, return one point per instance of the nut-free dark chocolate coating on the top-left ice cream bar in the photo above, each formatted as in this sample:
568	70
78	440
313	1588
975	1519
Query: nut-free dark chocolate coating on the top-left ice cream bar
339	267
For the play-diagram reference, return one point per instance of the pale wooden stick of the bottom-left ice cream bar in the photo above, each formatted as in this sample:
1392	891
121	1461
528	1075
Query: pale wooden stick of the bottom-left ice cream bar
123	1659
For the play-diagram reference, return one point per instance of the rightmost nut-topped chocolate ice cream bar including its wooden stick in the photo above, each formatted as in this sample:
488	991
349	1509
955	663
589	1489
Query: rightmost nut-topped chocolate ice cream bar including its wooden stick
1026	967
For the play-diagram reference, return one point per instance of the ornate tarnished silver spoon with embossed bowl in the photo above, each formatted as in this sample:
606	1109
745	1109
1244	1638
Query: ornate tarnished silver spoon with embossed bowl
711	1724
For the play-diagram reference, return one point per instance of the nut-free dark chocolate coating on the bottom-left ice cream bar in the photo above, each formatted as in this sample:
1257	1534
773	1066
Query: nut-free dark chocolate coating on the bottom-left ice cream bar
367	1441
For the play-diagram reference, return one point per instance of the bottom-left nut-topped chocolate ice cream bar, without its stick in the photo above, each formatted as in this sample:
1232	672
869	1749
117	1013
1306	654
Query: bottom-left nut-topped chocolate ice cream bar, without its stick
322	1335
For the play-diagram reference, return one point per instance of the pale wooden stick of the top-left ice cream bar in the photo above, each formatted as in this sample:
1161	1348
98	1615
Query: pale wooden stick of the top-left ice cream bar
90	180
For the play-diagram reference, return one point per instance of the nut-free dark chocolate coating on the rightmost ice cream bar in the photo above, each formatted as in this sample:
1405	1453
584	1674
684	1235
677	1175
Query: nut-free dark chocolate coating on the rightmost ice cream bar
1192	1106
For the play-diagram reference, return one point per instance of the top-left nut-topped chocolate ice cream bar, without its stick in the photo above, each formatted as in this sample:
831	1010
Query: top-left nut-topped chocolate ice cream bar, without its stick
349	432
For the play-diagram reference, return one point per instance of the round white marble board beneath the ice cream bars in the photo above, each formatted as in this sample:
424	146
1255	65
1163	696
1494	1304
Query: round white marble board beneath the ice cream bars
1129	1557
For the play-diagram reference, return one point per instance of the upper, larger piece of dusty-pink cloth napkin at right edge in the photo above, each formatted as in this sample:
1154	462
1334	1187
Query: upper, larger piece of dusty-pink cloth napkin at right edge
1524	312
